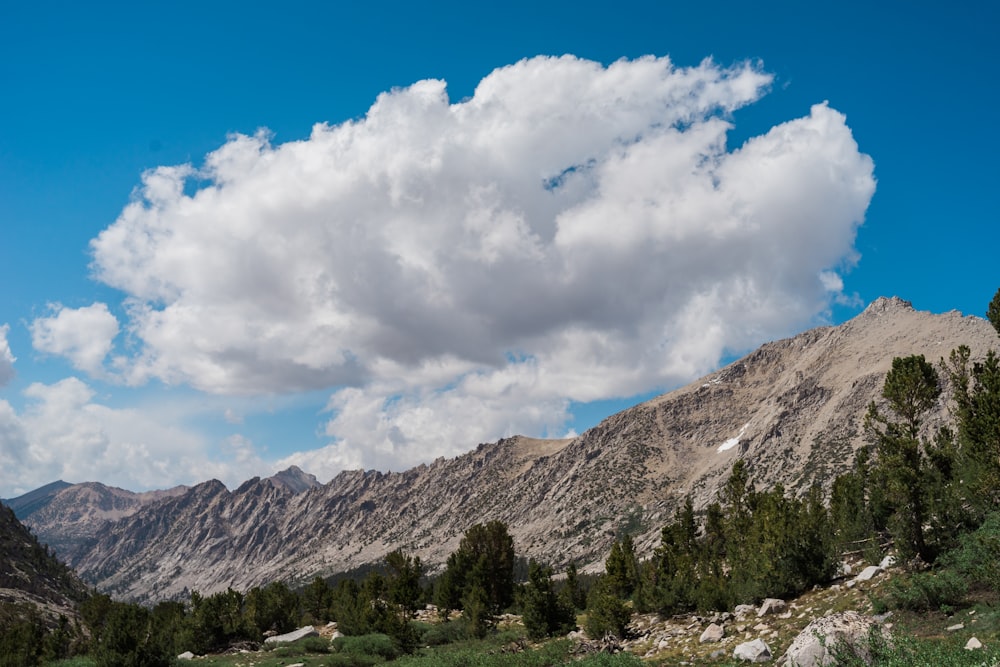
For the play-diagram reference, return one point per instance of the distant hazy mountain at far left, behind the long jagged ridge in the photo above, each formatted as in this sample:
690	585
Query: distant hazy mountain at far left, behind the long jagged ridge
65	516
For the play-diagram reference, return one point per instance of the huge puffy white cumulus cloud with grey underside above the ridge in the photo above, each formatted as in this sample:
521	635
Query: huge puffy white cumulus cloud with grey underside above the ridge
456	271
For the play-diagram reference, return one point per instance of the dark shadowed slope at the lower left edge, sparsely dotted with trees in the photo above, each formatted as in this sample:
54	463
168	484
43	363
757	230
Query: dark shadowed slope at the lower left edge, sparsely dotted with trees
31	577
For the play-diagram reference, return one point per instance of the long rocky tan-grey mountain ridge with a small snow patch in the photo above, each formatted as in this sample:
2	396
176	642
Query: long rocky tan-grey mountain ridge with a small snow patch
792	409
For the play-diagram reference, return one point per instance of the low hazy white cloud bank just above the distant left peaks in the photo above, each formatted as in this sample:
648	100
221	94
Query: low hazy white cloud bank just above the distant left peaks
65	433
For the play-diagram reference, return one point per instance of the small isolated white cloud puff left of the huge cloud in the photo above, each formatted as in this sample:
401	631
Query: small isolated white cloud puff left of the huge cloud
82	335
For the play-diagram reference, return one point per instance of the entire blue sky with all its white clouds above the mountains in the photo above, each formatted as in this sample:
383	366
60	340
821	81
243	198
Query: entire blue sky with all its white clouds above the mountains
236	237
